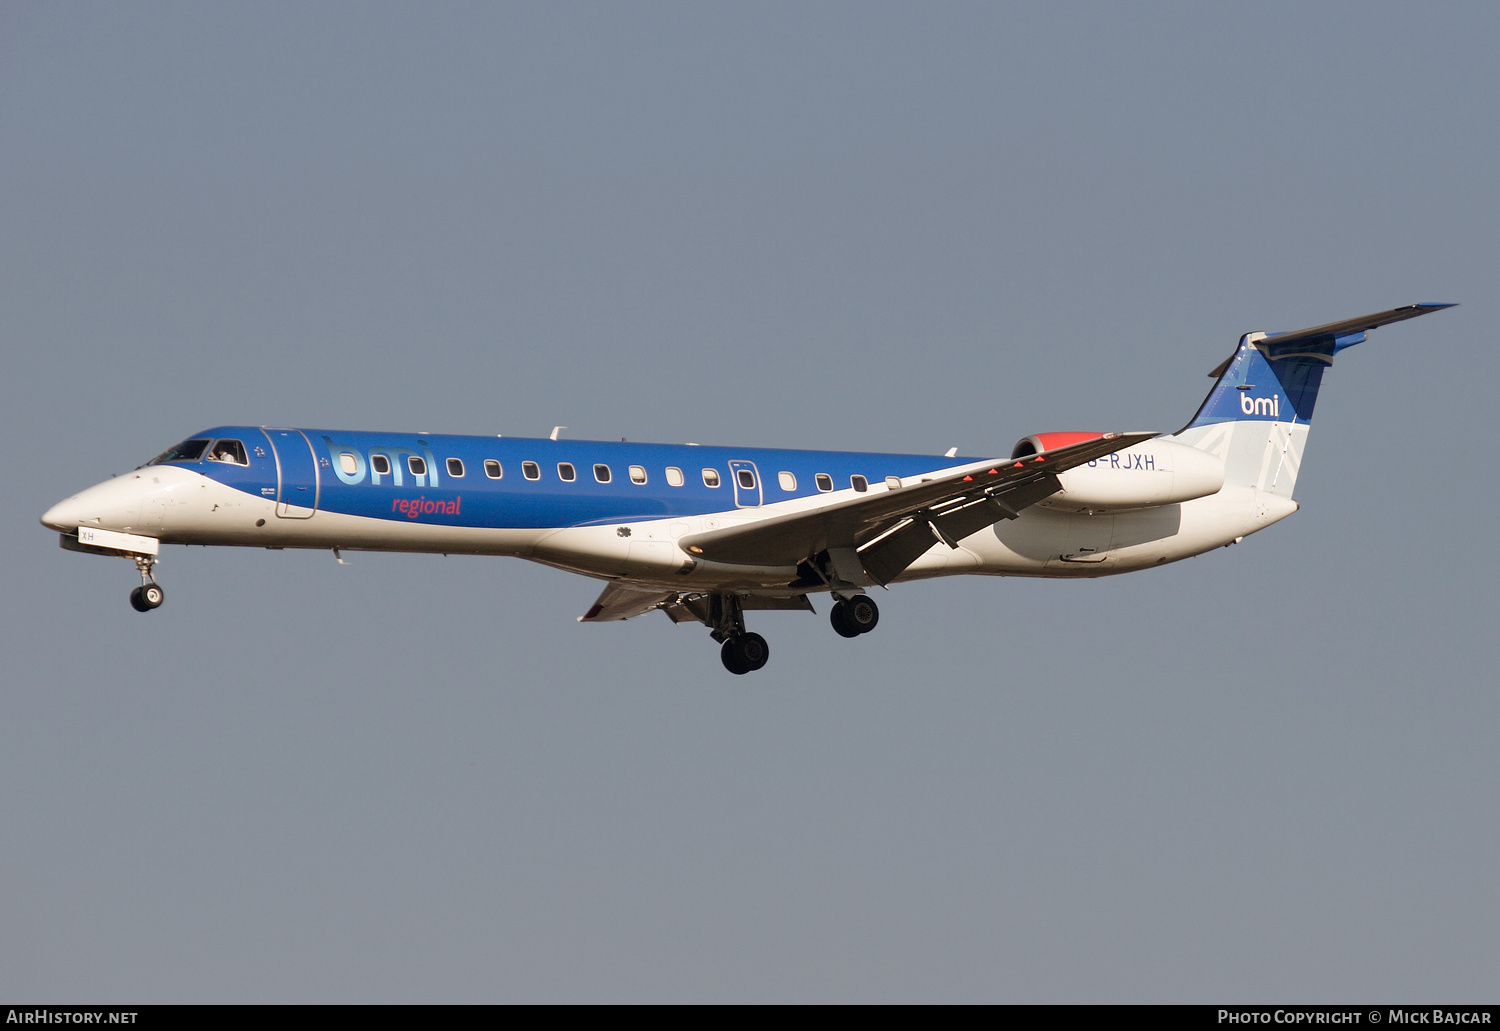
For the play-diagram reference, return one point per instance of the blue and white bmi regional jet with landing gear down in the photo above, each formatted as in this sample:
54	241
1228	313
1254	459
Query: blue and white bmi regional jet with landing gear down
710	534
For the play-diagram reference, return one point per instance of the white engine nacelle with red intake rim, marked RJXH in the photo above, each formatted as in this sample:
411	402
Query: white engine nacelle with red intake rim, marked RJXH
1148	475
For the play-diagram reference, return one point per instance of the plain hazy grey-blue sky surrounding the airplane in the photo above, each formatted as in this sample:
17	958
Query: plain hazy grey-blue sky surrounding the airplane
1265	774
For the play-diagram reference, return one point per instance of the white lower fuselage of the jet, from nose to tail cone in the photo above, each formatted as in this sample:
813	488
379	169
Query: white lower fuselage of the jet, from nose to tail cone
181	506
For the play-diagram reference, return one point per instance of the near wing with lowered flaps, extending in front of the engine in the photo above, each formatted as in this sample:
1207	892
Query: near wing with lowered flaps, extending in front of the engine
893	526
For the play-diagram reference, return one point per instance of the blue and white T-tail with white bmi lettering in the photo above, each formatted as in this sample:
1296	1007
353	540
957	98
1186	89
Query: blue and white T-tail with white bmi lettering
1258	415
